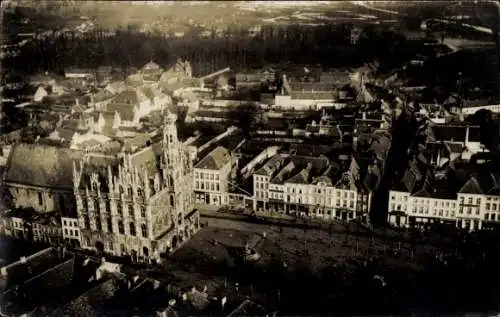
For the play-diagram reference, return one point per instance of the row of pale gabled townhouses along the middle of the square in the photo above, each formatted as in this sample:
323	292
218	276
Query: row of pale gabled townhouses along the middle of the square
308	186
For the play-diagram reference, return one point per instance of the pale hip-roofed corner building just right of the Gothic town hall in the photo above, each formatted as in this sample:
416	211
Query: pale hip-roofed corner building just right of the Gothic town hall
212	177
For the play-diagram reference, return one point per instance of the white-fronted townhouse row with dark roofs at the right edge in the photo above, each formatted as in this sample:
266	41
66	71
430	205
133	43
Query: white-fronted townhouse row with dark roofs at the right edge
466	199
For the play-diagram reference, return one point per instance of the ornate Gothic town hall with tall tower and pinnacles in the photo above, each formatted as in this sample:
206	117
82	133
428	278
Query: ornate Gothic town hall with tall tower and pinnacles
141	204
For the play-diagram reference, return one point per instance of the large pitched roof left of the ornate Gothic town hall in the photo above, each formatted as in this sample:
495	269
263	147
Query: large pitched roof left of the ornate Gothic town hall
48	166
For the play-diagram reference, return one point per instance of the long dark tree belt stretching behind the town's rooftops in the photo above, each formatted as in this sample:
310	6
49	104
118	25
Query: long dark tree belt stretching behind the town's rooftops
326	45
